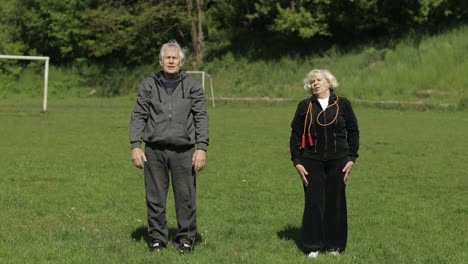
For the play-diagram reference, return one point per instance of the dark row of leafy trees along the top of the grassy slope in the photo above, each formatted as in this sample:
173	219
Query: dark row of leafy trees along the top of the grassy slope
130	32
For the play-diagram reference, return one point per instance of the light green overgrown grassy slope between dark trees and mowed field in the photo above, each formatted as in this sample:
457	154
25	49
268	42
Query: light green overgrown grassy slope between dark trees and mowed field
432	73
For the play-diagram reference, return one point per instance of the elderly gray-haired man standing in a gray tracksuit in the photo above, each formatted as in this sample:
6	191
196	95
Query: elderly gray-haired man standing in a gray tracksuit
170	117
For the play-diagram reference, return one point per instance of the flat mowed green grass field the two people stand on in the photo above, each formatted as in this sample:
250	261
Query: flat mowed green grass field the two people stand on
69	193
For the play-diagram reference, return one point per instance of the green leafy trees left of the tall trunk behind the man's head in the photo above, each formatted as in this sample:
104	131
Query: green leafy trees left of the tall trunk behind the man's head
123	32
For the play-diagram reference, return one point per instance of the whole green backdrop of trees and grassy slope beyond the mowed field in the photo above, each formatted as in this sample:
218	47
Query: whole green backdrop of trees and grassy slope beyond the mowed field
253	48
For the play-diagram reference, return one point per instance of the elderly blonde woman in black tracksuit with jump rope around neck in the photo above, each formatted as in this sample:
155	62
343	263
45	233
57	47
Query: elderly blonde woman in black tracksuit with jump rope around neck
324	144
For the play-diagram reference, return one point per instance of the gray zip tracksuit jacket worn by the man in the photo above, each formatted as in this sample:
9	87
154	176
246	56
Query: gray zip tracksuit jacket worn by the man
178	120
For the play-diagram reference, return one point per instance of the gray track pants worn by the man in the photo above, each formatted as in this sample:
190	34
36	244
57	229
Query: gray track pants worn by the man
177	161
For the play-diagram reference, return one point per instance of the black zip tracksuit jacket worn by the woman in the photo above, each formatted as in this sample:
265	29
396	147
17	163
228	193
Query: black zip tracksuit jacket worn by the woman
337	140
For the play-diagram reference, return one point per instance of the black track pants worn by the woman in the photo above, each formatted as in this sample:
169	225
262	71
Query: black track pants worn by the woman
324	223
